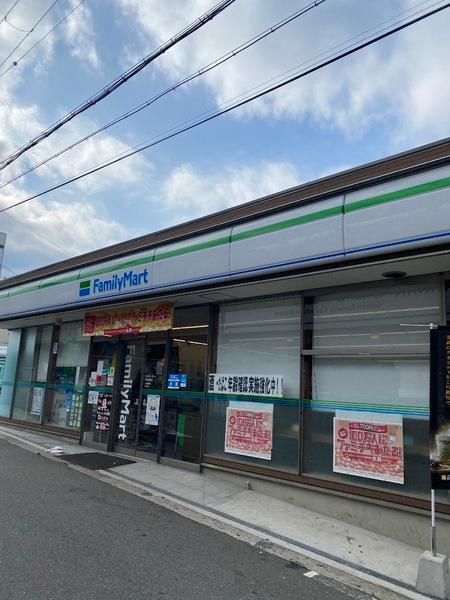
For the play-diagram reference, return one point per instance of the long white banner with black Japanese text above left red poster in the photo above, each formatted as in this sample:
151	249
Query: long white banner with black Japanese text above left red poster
249	385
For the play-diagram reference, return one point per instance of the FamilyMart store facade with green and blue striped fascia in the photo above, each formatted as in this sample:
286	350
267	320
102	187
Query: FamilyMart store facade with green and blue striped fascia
287	340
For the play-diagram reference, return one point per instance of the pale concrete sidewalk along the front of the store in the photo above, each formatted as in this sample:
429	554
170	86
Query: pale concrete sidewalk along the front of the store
363	554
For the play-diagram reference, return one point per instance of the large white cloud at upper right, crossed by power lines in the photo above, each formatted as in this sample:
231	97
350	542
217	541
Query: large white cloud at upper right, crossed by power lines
398	82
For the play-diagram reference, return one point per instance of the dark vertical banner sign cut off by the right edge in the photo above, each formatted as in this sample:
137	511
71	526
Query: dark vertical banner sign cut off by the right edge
440	408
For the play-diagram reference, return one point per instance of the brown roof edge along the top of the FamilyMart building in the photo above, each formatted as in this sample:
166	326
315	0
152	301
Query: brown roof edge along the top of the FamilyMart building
400	164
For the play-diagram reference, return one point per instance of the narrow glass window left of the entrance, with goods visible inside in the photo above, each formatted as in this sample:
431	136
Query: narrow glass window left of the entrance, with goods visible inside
64	404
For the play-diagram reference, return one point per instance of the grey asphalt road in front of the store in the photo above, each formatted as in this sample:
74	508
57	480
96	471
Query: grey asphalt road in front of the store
65	535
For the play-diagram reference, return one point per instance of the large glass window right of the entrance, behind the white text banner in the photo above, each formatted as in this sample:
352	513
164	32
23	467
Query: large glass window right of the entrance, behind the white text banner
257	339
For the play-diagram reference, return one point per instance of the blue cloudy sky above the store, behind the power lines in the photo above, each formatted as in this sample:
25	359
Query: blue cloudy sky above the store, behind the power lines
390	97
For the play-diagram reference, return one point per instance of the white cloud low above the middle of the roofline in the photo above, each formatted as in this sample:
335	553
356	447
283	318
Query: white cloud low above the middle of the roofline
187	193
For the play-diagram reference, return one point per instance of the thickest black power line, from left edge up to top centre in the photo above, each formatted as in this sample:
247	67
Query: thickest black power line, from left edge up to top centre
119	81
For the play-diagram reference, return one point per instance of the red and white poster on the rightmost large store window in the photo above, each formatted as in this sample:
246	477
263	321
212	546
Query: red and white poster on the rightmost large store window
372	449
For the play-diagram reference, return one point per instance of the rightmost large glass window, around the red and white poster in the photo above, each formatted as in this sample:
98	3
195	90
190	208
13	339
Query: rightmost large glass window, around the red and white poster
367	357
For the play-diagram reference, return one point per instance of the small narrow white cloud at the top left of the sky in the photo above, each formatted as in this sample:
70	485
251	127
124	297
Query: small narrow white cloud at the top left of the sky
80	35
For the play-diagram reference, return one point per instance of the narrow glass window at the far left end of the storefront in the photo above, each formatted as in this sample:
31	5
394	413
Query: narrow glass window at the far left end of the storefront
31	376
